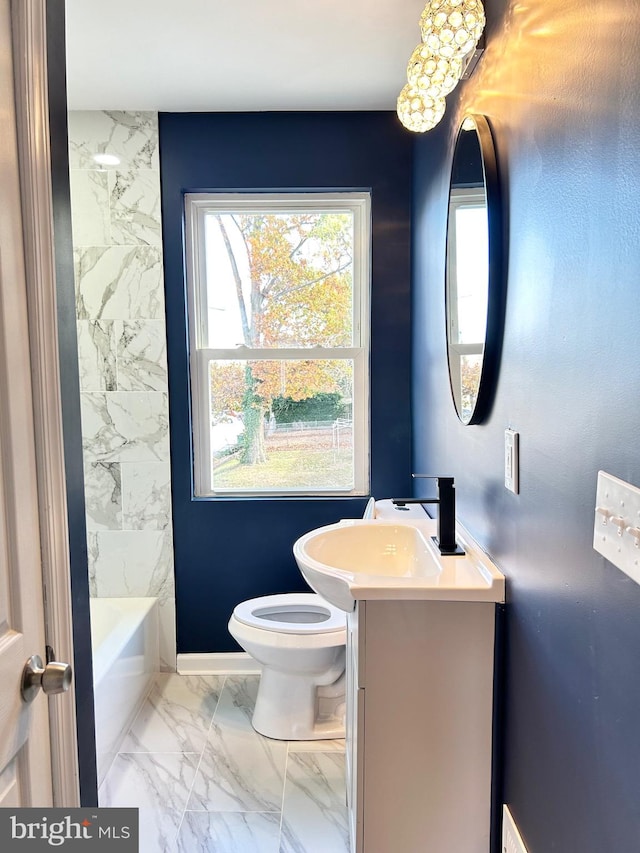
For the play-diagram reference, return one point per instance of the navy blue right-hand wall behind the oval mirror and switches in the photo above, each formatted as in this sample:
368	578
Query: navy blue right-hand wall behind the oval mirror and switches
562	91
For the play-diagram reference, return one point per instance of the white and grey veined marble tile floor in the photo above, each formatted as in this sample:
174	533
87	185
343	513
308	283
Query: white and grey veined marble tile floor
206	782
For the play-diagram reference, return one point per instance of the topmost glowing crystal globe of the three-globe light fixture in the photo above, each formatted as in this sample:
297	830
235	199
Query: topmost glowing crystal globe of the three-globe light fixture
452	27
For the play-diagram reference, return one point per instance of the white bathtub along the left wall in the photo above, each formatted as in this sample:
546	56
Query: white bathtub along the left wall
124	638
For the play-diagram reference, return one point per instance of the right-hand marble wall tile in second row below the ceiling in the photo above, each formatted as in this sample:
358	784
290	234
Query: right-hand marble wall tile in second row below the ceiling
135	208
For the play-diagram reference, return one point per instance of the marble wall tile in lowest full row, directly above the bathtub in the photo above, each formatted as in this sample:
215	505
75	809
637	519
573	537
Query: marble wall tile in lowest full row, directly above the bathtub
133	563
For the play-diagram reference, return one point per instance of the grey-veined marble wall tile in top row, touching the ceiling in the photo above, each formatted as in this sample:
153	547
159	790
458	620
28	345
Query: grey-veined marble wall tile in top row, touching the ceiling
130	136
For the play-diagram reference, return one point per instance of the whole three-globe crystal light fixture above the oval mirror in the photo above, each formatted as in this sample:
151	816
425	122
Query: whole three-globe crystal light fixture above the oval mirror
449	51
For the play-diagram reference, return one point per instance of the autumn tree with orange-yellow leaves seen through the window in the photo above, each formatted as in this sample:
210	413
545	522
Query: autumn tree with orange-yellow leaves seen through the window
292	279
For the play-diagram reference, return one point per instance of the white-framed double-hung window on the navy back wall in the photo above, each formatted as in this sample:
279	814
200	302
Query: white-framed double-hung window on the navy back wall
278	304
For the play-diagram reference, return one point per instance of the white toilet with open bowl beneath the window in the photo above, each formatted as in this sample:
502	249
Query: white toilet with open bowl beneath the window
299	639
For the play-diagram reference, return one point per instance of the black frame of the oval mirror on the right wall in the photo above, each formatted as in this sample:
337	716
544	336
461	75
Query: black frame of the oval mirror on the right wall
496	289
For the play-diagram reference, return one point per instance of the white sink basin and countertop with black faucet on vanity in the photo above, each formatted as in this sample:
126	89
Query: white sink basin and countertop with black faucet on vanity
379	559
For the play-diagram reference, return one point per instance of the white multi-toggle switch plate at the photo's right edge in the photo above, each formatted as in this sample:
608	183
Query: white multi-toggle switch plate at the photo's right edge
616	528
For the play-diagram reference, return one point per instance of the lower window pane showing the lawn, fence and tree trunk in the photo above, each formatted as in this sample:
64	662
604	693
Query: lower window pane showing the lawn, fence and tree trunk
281	425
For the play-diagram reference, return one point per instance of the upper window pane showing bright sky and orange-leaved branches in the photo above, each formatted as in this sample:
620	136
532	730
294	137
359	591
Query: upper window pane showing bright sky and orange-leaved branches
279	279
